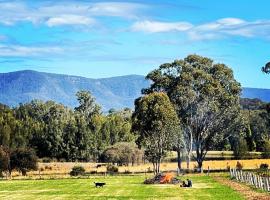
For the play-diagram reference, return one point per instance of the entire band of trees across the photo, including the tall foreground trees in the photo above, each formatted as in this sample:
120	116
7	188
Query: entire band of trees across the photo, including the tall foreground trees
192	104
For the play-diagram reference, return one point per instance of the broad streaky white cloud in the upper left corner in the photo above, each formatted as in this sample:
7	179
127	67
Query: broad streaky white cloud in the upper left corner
68	13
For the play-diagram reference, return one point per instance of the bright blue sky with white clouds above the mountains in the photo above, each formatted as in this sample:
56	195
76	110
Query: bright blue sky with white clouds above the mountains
111	38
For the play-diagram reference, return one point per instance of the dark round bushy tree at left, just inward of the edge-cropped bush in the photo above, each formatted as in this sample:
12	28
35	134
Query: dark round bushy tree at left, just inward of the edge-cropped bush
23	160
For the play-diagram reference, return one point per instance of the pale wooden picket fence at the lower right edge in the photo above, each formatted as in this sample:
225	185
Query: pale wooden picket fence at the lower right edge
251	179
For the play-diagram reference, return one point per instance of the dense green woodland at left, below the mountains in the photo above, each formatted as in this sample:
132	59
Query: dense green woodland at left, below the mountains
57	132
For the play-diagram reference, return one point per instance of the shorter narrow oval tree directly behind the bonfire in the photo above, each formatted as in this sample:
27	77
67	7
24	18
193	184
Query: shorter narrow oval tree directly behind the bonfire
156	123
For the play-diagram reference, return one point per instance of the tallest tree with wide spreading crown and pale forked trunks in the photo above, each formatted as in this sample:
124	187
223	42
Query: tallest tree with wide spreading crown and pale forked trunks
206	98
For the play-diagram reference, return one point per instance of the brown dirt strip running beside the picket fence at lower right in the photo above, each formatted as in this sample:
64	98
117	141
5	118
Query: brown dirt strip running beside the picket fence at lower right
247	192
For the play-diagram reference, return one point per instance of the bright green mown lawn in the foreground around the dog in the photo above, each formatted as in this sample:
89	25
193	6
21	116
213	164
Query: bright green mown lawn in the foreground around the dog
118	187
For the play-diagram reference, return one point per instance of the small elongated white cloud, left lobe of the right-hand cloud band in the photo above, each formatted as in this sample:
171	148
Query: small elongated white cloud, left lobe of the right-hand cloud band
155	26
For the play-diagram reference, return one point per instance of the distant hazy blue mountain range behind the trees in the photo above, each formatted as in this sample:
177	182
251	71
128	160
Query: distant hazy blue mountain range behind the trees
116	92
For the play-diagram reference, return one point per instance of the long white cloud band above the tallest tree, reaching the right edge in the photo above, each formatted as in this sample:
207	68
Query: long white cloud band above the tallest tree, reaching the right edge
220	28
